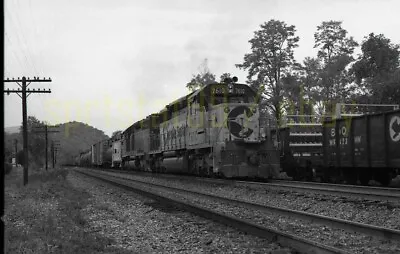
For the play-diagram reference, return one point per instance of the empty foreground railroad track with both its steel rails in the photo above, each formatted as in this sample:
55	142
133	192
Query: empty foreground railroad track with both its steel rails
298	243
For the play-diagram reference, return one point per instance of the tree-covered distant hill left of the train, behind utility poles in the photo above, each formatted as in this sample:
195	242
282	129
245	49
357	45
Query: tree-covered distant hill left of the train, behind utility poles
73	137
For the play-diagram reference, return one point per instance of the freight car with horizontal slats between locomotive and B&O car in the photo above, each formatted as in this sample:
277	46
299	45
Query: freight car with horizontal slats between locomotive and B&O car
302	148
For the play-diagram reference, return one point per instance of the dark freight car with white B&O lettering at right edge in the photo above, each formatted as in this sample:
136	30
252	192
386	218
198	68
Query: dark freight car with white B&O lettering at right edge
362	148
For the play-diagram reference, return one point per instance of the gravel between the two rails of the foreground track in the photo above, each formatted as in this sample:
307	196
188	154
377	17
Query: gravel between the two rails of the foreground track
352	242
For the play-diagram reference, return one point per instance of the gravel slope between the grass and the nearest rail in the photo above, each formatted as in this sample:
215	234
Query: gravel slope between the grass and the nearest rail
141	225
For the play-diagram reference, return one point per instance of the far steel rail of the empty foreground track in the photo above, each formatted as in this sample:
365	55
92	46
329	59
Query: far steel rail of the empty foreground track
381	232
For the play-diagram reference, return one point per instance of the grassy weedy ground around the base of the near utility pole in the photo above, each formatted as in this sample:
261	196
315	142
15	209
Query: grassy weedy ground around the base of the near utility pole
46	217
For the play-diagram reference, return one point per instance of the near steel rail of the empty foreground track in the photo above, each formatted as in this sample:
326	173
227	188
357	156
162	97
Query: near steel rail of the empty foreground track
300	244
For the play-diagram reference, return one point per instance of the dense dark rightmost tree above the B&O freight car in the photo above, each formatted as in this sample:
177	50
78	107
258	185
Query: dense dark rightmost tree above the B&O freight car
377	69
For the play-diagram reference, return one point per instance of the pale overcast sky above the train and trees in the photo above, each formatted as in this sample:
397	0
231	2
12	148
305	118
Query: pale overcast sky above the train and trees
112	63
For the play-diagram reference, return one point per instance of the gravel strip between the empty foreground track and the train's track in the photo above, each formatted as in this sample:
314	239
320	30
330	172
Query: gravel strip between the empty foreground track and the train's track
378	213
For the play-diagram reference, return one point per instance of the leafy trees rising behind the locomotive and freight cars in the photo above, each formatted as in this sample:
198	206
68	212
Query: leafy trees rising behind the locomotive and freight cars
315	85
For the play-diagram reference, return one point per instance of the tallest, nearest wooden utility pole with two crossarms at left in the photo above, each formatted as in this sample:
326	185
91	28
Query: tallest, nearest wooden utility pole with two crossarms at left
24	83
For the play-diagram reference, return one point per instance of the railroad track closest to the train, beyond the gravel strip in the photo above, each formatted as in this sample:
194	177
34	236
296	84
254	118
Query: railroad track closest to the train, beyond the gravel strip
362	192
